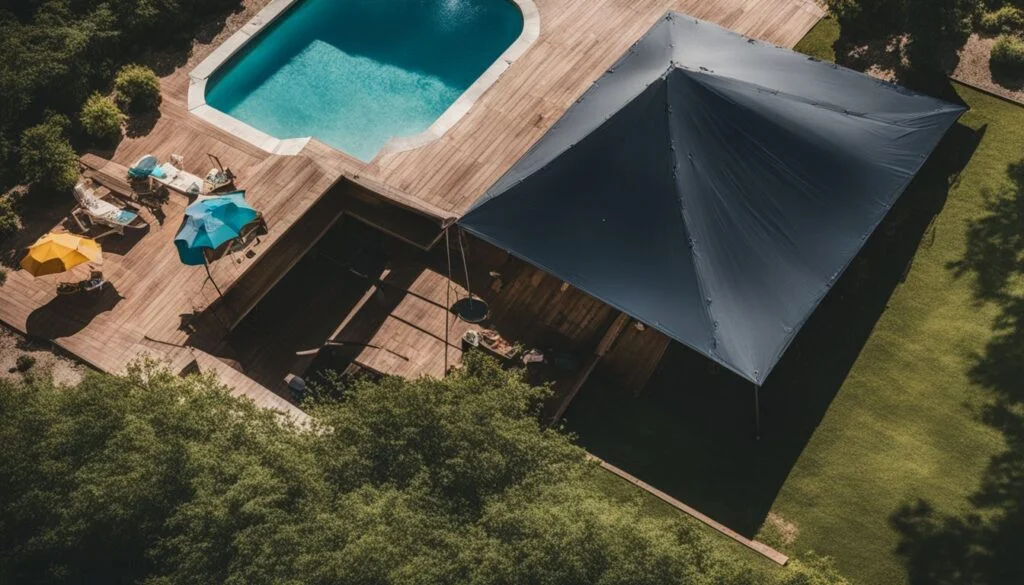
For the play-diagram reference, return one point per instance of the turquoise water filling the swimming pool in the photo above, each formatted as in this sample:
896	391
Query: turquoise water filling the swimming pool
356	73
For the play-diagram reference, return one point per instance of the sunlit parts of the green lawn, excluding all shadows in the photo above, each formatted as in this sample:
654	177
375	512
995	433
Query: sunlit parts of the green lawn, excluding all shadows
906	425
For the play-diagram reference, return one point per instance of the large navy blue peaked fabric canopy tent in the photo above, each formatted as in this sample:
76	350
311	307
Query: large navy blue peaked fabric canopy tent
714	187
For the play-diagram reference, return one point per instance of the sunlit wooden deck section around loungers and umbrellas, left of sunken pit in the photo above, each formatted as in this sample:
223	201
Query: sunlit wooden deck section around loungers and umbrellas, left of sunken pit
153	295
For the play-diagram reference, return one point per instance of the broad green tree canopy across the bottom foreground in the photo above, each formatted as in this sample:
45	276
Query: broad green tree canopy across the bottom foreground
159	480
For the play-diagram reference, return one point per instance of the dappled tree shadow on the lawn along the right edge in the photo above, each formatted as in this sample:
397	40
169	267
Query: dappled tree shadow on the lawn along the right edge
986	547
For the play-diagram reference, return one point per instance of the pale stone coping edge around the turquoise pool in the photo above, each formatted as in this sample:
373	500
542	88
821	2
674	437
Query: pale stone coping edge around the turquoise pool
201	74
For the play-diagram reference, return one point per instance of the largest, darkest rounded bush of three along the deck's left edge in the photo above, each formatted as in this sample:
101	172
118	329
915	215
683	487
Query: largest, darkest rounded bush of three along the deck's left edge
48	158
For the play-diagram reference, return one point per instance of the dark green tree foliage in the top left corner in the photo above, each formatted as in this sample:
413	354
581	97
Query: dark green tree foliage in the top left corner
58	53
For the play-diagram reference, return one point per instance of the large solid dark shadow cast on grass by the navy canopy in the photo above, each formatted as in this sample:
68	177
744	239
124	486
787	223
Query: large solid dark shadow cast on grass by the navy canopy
691	433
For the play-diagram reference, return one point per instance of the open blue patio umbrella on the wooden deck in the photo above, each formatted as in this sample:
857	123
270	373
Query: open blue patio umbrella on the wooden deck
209	223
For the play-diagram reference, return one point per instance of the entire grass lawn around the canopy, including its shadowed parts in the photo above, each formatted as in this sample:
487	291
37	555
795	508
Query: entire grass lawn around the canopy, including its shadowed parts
894	427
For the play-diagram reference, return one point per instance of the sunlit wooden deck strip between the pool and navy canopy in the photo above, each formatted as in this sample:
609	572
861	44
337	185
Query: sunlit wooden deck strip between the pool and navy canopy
580	39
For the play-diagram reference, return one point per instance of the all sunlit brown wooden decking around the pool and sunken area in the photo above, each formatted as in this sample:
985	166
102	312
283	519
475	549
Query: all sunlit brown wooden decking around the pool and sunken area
154	299
